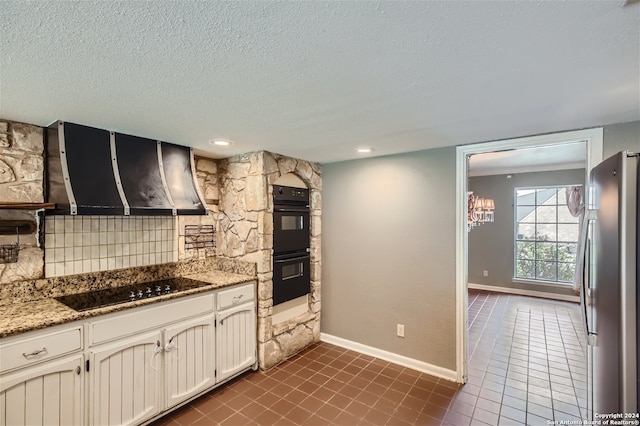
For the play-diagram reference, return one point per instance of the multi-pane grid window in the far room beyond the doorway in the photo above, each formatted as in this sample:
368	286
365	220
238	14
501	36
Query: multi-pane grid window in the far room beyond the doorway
546	235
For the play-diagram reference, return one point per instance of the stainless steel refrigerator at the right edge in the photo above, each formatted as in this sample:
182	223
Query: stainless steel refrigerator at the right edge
610	296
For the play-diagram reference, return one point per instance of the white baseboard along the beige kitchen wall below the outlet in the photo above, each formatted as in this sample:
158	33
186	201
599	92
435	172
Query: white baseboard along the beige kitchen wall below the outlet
394	358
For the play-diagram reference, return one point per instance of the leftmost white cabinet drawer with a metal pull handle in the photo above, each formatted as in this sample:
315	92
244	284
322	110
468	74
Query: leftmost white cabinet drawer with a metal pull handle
32	350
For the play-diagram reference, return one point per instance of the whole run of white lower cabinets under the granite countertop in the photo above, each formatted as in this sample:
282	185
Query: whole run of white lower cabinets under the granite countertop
131	366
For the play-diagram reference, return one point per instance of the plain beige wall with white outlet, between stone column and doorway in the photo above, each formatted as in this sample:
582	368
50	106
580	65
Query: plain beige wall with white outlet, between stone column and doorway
388	253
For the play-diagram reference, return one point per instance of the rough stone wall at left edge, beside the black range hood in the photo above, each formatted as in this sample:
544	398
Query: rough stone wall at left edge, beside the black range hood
21	180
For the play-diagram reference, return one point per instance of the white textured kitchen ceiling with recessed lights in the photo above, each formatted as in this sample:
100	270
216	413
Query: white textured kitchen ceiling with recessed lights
315	80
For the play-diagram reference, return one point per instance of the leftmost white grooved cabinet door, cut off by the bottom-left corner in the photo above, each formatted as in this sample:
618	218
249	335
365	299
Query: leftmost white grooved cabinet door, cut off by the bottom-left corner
47	394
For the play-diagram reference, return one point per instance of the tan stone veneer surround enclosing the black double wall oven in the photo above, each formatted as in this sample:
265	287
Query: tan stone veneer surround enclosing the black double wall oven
245	232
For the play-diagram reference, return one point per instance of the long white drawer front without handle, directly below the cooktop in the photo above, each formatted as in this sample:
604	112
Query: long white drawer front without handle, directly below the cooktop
146	318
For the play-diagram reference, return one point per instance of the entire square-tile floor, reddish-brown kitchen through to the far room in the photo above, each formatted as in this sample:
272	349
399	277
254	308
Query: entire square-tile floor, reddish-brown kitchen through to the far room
525	367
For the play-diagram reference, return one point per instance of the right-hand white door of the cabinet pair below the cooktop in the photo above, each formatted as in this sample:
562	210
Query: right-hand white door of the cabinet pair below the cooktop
189	358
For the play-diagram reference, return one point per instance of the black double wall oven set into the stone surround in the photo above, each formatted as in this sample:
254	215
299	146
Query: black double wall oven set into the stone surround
291	258
